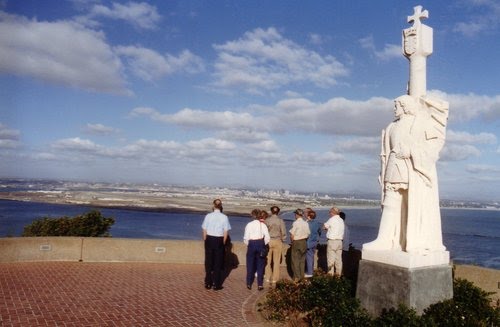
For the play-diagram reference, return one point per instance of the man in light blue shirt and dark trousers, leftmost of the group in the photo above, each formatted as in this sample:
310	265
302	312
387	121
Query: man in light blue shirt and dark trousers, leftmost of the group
215	233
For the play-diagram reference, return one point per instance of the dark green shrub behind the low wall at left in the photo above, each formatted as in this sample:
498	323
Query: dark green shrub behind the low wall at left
87	225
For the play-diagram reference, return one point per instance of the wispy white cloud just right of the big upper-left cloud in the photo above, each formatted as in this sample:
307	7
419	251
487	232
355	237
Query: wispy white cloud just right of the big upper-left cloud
150	65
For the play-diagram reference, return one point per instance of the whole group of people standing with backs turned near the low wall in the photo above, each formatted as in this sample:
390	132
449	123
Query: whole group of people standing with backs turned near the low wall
265	237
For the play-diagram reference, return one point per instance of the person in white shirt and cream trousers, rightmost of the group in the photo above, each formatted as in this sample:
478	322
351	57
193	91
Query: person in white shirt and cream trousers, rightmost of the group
335	235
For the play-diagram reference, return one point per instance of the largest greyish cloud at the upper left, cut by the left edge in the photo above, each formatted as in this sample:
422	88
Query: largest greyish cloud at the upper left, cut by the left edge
59	52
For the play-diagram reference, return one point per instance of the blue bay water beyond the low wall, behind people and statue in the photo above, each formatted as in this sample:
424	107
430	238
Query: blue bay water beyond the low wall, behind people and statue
471	236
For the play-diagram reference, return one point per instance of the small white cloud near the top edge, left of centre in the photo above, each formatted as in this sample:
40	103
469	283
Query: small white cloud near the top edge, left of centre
139	14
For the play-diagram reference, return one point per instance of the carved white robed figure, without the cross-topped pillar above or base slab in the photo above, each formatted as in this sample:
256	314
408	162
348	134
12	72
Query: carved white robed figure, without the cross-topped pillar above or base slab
411	219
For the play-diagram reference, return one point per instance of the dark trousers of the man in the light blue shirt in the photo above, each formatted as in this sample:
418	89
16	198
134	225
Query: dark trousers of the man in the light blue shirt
214	260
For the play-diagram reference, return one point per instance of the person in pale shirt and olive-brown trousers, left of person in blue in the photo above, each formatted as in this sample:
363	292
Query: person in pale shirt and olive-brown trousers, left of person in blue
298	235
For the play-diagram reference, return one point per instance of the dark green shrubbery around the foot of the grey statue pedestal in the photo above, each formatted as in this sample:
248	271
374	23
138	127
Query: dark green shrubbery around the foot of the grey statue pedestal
324	300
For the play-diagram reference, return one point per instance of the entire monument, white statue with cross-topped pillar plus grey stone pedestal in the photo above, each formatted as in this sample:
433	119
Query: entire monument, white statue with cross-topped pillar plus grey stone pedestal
407	262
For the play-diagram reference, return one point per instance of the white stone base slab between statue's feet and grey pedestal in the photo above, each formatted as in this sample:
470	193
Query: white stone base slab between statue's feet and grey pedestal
407	260
